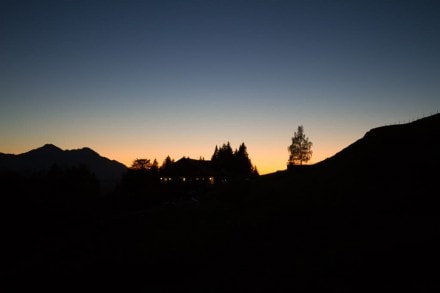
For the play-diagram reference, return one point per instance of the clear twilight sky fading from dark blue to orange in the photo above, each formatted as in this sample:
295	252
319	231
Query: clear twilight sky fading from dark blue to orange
147	79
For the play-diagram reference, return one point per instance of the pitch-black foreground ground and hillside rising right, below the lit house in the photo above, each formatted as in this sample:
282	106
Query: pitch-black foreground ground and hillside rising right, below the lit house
364	220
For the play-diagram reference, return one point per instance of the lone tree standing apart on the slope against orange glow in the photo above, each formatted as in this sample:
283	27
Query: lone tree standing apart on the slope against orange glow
301	148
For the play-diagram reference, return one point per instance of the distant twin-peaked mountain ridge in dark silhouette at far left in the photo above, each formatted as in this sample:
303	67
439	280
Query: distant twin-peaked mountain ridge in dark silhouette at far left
41	159
